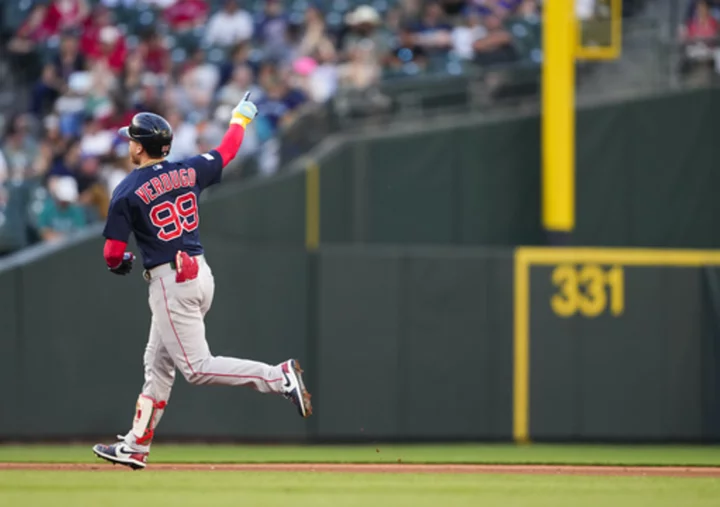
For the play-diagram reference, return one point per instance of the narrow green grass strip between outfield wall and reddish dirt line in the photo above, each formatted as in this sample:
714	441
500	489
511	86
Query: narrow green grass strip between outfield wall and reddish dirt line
382	453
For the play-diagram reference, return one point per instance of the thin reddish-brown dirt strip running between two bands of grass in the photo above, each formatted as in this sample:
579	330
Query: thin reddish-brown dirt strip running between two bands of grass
387	468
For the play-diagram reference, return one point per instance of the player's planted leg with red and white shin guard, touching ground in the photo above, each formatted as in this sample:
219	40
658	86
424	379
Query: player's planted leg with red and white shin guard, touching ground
134	447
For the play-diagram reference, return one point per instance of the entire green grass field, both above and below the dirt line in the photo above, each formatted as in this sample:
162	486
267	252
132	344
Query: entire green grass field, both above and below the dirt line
113	487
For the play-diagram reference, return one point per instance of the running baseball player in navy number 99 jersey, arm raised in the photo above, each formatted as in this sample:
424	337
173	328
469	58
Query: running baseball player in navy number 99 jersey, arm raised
158	203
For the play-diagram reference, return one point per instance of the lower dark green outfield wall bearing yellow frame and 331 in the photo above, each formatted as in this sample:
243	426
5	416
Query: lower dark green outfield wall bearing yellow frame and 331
400	343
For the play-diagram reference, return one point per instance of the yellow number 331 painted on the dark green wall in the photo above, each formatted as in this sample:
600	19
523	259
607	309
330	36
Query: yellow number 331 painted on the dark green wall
585	290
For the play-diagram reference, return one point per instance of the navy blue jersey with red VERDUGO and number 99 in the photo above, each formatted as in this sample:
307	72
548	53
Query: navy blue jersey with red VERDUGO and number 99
159	204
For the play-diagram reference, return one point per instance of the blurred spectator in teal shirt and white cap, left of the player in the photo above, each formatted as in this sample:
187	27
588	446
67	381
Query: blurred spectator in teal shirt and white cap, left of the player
61	215
